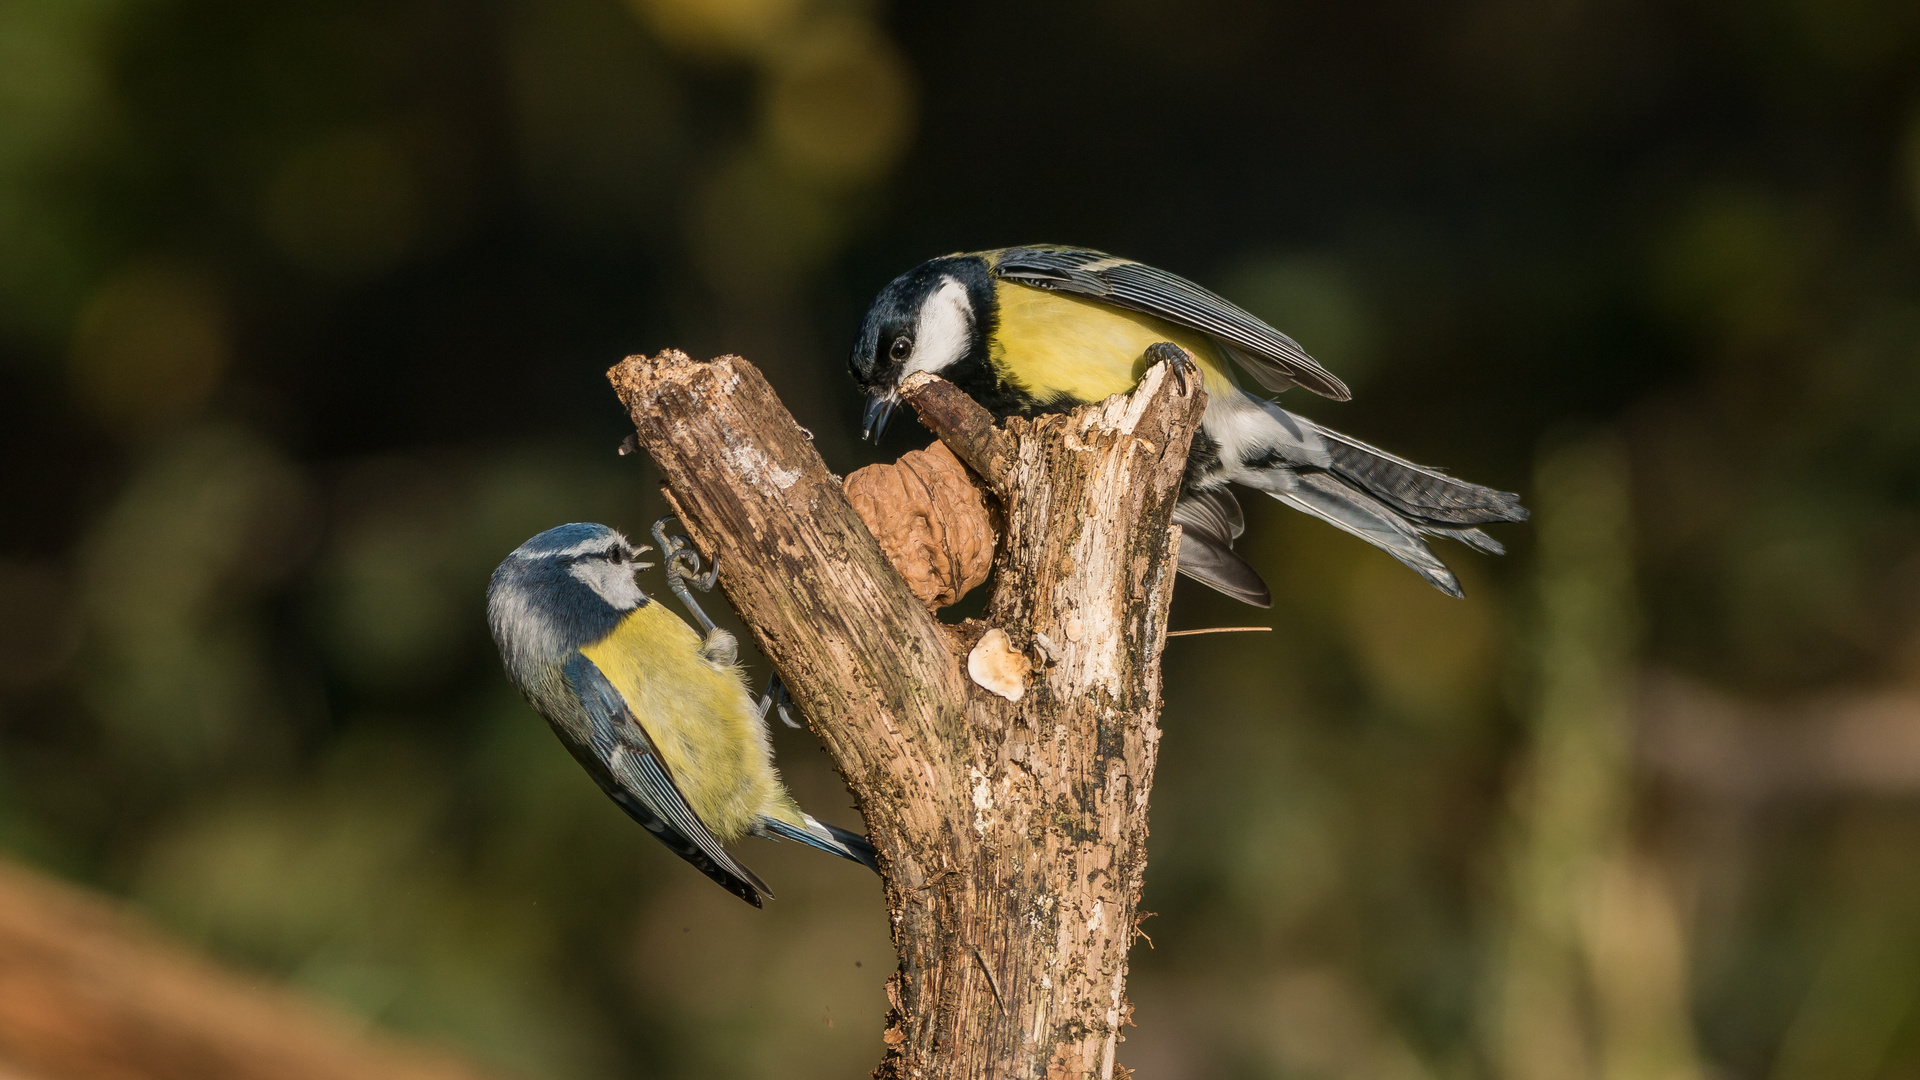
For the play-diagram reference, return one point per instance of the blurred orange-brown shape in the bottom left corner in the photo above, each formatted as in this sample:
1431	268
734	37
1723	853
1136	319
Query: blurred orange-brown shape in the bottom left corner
91	993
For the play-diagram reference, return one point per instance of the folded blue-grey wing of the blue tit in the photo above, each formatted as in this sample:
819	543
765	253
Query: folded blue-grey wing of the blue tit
638	781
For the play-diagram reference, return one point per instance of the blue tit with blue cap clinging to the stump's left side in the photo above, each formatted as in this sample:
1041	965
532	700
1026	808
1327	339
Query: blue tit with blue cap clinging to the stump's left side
656	712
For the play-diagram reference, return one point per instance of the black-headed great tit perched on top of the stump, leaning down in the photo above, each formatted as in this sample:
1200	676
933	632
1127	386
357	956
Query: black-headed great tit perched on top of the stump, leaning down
1047	330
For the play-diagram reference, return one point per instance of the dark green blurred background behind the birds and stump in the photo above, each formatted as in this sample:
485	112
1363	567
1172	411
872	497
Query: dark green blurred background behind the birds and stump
304	318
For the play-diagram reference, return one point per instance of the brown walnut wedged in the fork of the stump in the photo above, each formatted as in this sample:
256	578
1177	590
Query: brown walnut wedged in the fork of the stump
932	520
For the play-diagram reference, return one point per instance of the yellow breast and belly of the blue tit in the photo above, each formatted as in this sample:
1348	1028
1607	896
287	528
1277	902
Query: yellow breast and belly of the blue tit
698	716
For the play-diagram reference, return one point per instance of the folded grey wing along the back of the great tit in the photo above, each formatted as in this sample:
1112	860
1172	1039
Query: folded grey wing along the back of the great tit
1270	356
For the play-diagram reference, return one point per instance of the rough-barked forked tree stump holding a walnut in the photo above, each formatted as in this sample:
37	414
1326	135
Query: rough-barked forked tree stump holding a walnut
1013	833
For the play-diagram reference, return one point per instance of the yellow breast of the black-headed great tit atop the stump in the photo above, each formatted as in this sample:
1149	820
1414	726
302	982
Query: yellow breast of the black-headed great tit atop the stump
1057	347
